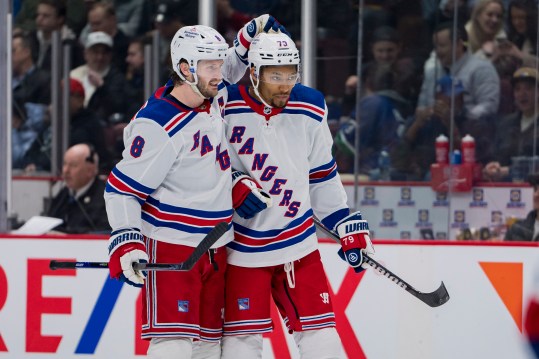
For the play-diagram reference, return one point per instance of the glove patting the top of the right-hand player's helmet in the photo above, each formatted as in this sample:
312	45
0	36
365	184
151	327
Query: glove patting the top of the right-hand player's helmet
263	23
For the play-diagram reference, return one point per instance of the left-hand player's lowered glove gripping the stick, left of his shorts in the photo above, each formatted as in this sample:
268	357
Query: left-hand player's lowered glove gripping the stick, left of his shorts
125	248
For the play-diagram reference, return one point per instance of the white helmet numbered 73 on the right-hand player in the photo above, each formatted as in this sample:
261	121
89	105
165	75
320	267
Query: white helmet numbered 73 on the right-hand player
275	49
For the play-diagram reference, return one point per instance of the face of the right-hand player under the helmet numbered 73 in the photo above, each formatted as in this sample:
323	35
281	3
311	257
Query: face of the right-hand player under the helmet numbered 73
276	83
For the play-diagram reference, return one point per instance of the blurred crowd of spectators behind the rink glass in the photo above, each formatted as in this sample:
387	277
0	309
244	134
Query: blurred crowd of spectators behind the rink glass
426	68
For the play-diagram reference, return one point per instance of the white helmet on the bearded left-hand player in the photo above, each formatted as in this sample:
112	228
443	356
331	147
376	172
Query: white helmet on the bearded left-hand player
195	43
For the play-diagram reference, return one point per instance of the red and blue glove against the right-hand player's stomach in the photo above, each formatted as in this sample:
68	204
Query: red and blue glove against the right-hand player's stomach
248	198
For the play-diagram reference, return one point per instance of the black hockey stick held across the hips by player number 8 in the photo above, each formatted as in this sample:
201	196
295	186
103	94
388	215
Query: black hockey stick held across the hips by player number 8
188	264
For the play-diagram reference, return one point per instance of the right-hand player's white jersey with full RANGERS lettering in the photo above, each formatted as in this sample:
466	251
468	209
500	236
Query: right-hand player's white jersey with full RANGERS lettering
288	152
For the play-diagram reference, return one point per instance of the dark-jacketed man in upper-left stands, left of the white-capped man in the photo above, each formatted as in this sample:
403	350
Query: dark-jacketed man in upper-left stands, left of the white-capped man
50	17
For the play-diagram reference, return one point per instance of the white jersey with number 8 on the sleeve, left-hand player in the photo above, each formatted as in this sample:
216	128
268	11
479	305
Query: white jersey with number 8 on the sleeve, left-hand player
174	180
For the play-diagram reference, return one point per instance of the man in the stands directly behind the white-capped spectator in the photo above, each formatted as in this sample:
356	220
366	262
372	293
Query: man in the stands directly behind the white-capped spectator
102	17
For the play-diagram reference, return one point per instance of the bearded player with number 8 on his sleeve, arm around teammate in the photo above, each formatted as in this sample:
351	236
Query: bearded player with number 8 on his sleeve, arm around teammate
173	185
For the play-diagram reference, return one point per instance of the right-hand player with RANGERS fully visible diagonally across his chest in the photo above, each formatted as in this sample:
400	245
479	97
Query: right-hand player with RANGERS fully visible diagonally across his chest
278	135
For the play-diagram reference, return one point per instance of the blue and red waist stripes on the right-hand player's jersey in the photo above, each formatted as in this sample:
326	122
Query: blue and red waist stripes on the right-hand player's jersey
249	240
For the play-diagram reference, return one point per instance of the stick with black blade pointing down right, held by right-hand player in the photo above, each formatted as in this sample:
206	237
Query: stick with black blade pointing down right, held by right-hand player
434	299
